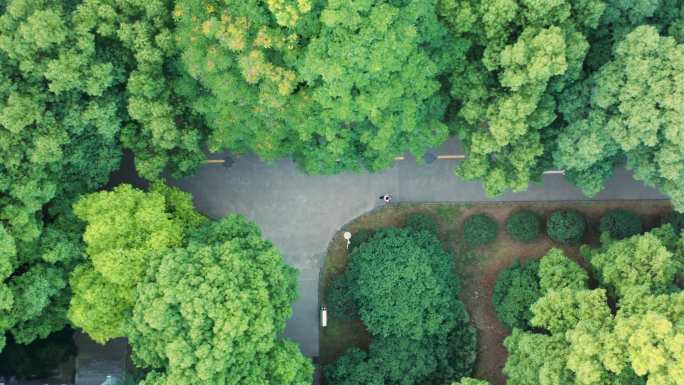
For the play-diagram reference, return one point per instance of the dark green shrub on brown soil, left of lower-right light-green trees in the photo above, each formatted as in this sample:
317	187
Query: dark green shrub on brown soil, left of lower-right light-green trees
517	288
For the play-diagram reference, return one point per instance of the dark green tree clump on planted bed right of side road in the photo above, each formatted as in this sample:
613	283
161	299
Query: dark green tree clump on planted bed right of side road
403	284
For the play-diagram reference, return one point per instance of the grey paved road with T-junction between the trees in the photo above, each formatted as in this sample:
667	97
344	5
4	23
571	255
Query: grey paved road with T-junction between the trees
301	213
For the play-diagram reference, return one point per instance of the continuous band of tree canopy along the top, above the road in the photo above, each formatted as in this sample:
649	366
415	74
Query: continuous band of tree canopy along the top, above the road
526	85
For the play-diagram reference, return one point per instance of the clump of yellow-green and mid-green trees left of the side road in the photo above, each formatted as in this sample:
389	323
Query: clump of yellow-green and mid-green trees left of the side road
185	291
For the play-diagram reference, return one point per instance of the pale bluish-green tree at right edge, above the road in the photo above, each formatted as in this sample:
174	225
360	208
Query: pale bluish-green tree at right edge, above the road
624	112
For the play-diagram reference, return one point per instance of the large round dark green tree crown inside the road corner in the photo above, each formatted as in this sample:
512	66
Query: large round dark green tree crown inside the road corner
417	273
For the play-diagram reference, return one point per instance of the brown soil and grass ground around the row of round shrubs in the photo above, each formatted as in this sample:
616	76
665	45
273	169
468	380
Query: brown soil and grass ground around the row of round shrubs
477	268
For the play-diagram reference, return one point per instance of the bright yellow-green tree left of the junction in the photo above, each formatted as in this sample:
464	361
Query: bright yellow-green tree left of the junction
124	230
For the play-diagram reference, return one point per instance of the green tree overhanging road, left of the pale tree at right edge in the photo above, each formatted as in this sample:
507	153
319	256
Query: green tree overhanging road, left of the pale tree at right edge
522	55
